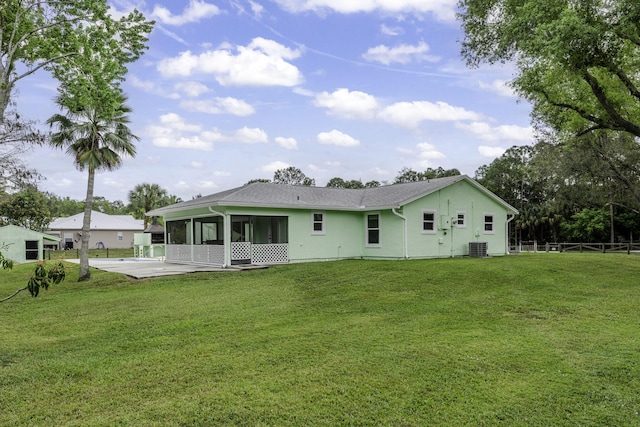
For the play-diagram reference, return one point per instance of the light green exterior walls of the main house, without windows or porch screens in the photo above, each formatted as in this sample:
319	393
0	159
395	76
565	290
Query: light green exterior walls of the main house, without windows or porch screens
344	233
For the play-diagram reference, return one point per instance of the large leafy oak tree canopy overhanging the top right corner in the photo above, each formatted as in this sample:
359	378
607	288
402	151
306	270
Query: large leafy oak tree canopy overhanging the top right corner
577	61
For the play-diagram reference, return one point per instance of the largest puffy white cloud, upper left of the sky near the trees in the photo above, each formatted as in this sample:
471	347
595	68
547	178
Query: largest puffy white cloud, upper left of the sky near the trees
261	63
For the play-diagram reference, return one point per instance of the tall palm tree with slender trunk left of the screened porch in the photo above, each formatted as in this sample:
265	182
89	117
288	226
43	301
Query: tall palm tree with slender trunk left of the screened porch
96	137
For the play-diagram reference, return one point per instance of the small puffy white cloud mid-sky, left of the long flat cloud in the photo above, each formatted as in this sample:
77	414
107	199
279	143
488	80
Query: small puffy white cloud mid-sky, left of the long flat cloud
348	104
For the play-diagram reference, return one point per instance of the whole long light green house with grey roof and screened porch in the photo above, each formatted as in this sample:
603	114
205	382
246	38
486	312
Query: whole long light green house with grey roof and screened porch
272	223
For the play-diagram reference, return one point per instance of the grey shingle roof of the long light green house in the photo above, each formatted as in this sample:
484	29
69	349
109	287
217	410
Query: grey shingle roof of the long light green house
304	197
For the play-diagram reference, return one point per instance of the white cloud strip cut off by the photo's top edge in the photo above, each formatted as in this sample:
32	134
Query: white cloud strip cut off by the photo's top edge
442	9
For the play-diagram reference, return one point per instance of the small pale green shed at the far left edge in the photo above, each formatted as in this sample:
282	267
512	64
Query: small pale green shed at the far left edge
23	245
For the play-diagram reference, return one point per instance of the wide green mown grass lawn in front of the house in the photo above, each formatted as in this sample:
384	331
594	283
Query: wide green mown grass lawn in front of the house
529	340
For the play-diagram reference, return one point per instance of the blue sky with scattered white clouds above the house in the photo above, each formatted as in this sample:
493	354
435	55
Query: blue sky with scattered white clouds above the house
232	90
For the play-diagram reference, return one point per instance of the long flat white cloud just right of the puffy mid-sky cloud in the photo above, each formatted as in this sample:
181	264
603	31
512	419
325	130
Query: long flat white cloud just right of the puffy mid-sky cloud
410	114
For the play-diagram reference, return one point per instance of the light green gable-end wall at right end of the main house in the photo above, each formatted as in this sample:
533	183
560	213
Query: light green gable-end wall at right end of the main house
451	239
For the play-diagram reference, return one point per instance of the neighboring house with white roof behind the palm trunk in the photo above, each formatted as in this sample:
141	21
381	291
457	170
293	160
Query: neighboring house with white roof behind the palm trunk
107	231
